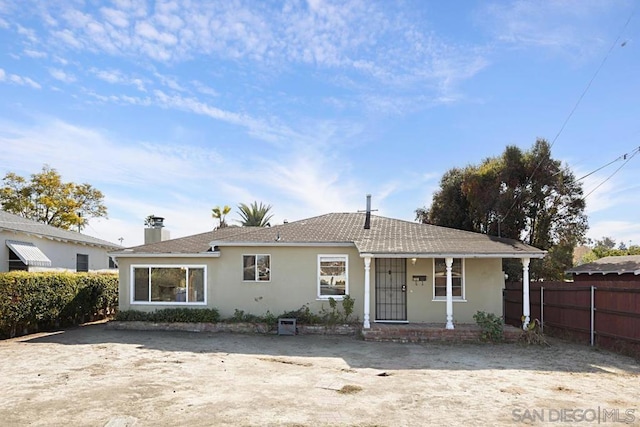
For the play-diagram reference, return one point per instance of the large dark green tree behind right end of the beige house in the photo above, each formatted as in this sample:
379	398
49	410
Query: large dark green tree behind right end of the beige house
523	195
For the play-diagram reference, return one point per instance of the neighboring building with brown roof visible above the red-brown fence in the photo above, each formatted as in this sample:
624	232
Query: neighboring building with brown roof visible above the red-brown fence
608	269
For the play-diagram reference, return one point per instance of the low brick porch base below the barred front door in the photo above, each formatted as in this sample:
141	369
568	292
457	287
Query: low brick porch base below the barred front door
430	332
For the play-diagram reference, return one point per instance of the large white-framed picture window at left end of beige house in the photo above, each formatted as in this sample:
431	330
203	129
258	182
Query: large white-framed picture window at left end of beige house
169	284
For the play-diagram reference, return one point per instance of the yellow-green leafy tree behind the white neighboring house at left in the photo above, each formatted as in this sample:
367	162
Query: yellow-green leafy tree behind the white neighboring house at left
47	199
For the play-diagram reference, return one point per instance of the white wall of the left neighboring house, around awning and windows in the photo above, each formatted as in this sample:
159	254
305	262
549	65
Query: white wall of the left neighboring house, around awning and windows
61	254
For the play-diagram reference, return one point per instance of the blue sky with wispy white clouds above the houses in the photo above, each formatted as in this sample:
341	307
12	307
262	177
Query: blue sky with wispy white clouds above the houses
174	107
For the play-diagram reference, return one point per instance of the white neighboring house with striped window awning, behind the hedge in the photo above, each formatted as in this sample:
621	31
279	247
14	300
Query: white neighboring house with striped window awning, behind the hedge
32	246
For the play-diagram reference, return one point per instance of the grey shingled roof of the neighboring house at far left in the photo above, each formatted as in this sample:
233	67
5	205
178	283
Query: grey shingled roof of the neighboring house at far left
18	224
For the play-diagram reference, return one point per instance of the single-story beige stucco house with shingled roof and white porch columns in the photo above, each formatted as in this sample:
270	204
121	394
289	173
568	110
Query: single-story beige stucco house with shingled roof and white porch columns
397	271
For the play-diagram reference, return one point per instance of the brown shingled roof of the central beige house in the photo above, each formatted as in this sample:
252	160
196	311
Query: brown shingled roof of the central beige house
386	236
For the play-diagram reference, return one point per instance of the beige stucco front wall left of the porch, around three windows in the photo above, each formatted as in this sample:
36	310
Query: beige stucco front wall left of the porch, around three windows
293	280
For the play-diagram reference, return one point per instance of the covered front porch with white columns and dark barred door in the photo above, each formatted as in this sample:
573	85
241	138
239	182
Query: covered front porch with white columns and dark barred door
389	280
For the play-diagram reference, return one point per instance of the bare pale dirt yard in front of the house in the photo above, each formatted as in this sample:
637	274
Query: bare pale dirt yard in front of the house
96	376
